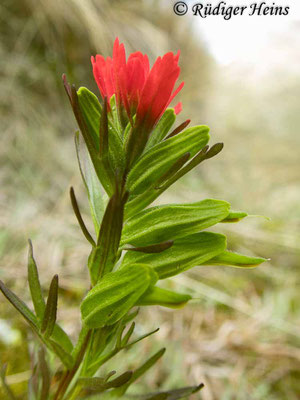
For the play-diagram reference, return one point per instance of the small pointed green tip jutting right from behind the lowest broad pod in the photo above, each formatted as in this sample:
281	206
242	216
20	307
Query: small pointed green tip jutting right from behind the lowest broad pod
162	297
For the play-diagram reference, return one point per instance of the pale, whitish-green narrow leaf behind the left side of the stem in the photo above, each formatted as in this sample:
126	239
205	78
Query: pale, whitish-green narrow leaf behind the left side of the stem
91	182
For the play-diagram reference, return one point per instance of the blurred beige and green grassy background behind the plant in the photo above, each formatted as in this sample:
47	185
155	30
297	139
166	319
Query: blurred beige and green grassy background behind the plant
240	336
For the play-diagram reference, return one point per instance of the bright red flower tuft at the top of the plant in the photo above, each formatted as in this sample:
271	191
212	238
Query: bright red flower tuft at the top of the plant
139	90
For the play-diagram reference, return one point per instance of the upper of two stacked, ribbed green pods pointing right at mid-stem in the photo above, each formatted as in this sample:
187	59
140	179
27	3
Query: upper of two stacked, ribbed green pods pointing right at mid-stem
161	223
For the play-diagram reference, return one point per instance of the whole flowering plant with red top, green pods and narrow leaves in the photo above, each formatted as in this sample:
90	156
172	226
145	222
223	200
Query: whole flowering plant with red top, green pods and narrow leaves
128	155
